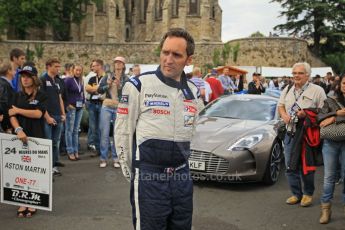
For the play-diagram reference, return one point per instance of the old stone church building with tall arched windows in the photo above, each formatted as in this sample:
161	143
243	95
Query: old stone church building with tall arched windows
115	21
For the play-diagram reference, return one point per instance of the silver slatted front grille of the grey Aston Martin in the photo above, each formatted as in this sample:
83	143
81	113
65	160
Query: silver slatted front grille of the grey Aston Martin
214	164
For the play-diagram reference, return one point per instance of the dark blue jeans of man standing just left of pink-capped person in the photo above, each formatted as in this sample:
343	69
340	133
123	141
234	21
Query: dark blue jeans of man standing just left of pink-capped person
94	115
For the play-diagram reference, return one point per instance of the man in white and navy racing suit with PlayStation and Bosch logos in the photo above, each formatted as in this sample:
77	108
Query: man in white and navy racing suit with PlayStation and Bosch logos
155	120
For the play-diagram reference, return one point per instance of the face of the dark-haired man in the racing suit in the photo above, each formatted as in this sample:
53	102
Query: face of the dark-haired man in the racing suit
173	57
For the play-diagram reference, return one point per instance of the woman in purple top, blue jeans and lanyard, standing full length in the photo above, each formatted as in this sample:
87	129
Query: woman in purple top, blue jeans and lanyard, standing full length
74	108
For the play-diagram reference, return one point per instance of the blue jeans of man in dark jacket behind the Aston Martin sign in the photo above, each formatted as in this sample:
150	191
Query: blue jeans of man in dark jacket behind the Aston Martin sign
53	132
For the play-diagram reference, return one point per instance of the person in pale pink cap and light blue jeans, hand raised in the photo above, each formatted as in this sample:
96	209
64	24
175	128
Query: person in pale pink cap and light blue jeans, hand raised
111	86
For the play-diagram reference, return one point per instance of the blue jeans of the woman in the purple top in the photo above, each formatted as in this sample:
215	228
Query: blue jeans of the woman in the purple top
73	119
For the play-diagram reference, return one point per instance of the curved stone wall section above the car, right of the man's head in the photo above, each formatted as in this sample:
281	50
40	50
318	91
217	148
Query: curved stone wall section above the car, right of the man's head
274	52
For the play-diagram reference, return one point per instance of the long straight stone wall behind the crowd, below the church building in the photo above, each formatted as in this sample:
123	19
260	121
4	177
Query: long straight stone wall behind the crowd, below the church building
83	53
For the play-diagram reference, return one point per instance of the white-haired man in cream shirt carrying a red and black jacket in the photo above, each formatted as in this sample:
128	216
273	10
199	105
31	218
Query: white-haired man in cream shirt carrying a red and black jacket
294	105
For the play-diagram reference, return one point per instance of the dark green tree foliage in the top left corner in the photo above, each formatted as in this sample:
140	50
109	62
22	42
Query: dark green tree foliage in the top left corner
20	15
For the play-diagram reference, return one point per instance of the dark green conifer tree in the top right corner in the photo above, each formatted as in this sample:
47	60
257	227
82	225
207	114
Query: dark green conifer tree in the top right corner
319	20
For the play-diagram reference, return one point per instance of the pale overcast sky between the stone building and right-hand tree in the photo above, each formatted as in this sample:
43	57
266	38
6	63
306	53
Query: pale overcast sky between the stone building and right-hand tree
241	18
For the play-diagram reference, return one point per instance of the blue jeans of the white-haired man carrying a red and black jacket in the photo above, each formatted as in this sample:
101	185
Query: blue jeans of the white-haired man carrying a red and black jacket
295	178
